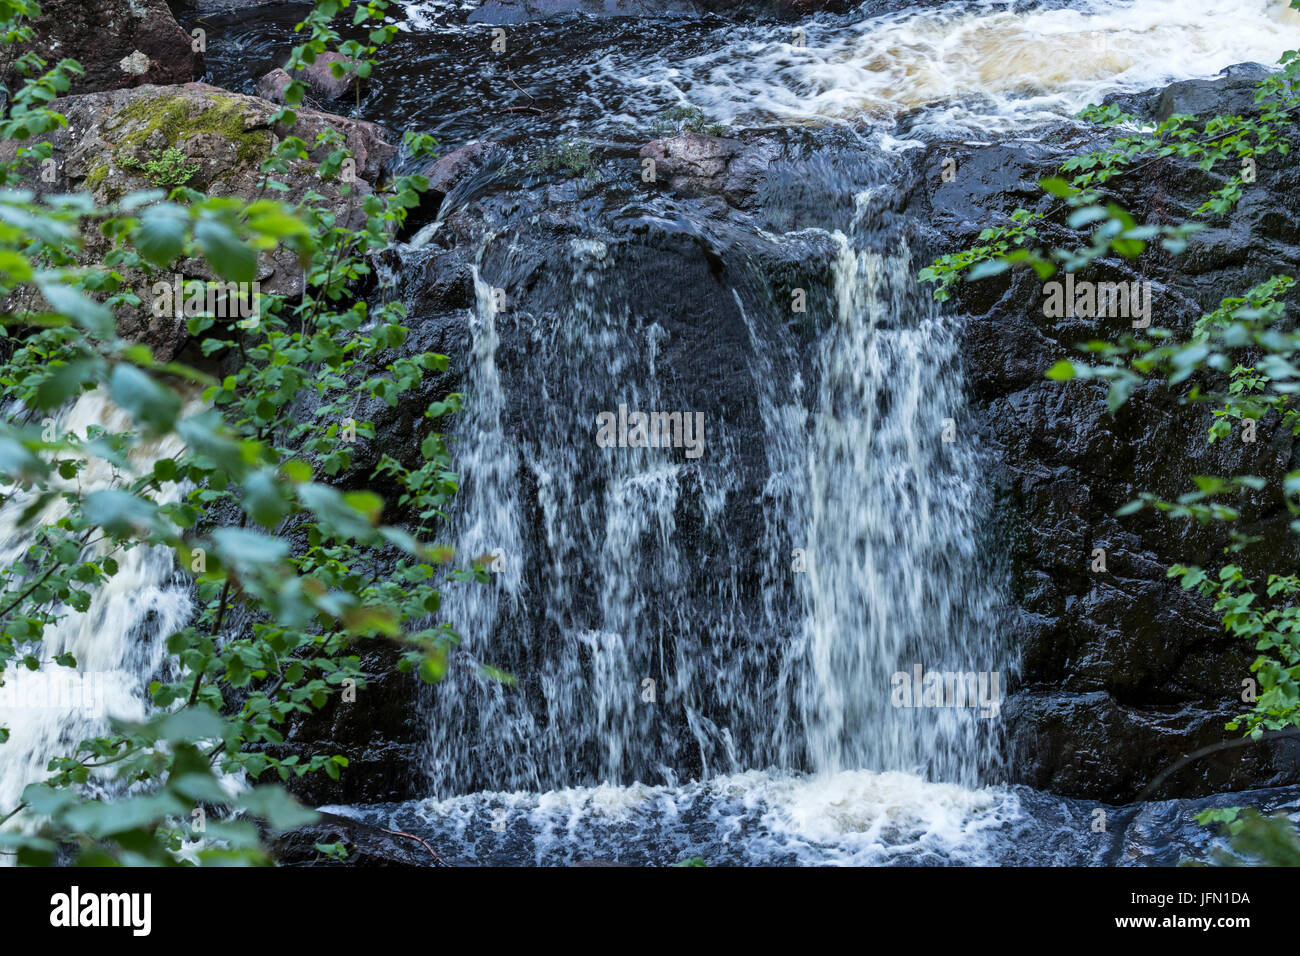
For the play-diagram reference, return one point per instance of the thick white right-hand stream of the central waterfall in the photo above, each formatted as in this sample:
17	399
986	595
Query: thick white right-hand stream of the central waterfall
896	577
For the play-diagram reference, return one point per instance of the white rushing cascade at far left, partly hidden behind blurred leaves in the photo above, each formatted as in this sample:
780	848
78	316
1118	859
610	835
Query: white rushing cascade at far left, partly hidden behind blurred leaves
119	642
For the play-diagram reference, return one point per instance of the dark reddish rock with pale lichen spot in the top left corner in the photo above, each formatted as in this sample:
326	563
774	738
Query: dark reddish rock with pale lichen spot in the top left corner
120	44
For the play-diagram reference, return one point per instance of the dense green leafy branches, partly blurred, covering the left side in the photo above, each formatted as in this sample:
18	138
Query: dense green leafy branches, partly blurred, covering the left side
292	576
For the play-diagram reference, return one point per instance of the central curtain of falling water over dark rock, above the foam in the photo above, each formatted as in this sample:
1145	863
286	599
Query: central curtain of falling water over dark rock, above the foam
623	598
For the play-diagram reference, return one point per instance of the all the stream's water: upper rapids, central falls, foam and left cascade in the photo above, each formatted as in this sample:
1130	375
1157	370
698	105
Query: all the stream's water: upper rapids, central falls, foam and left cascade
783	650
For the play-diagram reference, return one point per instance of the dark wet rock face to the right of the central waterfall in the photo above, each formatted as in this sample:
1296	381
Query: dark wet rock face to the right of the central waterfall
1124	672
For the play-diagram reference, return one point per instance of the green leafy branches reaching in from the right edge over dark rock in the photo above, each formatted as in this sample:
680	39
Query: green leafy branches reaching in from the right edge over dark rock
1242	358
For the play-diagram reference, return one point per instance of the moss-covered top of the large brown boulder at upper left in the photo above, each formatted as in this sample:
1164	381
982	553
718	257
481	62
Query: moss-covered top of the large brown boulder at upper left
224	139
